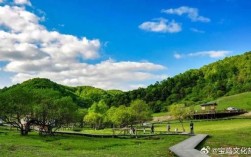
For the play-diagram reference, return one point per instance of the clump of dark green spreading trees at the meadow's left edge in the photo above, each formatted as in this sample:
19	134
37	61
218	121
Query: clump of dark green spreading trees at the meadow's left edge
43	107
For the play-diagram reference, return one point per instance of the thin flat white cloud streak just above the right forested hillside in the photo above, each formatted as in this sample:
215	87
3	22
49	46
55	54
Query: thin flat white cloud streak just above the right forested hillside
211	54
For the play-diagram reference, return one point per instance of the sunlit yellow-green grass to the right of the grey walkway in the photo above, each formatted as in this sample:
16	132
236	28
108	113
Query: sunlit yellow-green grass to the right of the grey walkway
222	133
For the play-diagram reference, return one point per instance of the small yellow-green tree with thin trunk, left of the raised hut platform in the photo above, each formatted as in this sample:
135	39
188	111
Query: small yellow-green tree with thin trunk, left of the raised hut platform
180	112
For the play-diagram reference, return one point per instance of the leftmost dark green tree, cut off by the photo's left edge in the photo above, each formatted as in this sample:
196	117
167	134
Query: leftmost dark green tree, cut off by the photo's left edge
16	108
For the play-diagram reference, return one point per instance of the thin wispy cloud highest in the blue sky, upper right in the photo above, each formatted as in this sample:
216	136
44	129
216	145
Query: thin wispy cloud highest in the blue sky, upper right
192	13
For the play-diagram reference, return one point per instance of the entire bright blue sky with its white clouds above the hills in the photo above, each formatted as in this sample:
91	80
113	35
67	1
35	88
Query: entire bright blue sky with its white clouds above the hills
122	44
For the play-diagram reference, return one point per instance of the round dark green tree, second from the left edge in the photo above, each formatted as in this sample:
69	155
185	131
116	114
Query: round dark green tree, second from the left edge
51	111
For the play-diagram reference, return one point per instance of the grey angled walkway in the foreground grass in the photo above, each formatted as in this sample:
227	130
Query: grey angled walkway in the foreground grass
186	148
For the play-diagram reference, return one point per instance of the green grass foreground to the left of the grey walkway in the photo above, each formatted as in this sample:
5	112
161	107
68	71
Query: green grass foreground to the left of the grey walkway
33	145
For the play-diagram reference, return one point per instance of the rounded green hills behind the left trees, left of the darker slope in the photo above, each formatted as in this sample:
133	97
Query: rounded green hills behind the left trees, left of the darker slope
83	96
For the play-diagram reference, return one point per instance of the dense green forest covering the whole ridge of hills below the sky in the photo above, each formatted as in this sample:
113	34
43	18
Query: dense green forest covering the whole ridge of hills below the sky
229	76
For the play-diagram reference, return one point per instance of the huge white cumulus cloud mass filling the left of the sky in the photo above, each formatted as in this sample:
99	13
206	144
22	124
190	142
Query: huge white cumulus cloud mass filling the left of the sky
31	50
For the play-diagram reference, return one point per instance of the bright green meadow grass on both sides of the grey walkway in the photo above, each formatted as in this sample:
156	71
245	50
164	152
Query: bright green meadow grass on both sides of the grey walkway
223	133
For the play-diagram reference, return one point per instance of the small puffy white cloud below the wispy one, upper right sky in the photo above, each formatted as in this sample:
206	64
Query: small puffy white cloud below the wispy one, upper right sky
161	25
